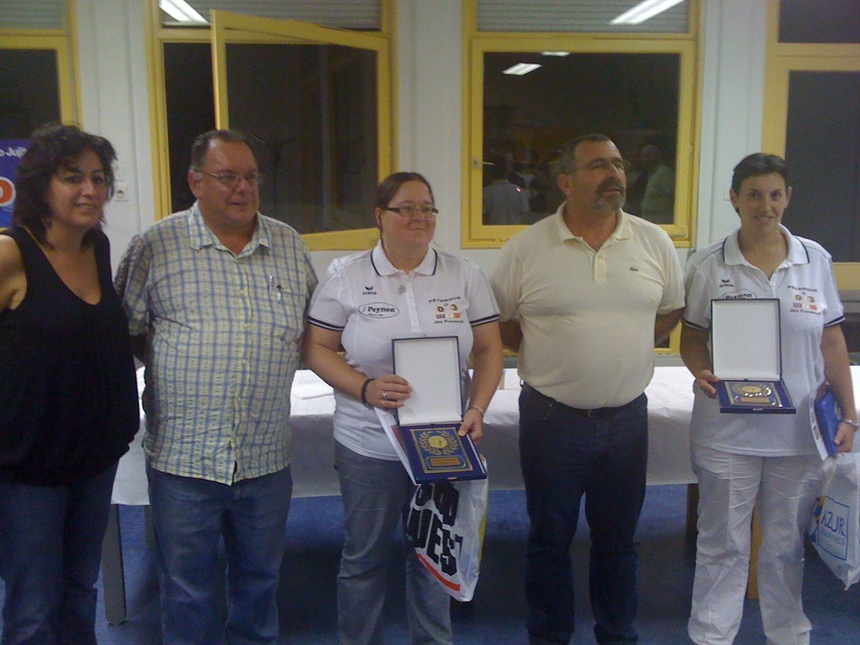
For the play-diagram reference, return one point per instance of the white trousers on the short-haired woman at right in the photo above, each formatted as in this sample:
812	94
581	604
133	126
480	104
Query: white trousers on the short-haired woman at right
729	485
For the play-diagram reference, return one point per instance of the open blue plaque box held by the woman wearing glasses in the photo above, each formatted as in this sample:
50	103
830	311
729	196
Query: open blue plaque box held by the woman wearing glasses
425	428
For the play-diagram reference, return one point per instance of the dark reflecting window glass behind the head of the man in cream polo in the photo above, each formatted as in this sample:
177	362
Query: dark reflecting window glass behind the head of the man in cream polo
632	98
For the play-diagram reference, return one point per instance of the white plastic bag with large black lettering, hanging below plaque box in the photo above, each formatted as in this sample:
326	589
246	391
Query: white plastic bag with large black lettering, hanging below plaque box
445	525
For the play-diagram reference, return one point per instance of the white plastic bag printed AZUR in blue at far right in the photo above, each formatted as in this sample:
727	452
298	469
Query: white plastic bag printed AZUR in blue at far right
835	526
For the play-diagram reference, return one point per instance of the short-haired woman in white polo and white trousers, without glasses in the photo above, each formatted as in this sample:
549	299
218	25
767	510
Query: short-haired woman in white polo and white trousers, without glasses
741	458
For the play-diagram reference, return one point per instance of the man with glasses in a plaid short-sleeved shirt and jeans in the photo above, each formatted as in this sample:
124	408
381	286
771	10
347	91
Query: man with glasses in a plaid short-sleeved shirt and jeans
217	297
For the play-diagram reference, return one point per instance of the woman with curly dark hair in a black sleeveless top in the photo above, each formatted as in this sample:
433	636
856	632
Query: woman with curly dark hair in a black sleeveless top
68	395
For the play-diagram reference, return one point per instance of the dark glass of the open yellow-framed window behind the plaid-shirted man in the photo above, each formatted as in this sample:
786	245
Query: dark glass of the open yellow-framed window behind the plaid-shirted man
311	109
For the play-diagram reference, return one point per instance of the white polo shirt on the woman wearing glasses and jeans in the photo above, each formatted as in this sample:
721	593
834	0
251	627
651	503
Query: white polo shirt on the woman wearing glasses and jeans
370	302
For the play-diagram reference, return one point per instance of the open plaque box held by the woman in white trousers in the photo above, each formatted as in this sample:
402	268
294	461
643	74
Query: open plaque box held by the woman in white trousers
746	353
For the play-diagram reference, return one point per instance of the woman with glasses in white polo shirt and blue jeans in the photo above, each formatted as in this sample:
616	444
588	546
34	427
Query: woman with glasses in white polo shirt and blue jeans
400	288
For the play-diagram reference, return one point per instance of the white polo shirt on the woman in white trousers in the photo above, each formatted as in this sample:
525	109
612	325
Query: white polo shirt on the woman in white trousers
809	302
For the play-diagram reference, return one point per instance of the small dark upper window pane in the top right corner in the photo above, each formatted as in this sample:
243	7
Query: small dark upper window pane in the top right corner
819	21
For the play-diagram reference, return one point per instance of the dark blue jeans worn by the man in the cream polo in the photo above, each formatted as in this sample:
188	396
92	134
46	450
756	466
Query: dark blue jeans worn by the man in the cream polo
566	453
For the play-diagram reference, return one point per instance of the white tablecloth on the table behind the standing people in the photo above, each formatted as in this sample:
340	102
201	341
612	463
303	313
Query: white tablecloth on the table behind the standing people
670	400
